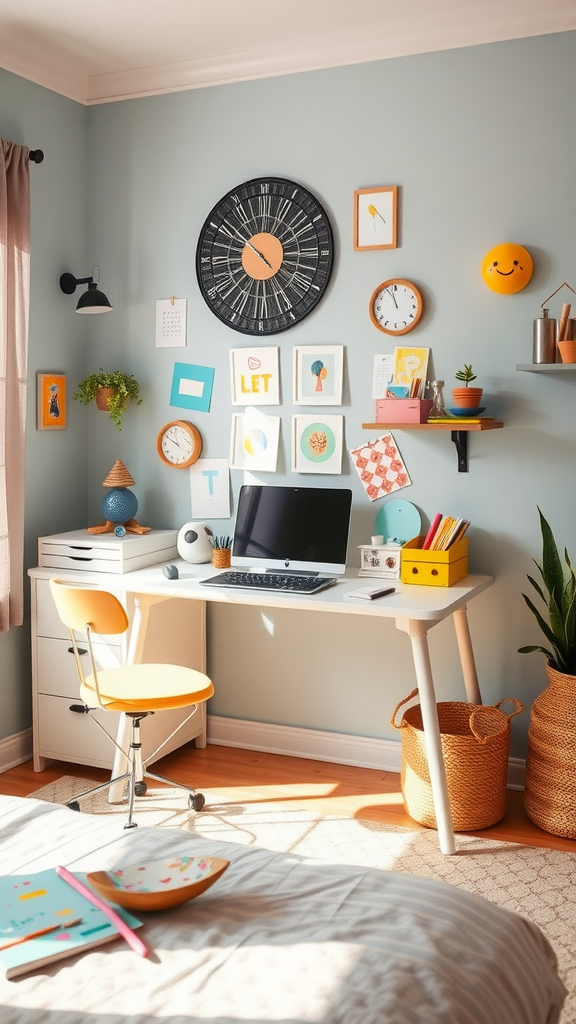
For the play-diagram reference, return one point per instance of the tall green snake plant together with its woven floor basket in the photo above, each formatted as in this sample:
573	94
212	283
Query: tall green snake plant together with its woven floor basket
551	763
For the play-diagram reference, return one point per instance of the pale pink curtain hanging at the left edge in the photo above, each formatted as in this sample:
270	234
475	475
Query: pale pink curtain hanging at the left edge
15	290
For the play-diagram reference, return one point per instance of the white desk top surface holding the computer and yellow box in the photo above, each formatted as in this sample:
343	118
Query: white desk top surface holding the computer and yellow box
425	604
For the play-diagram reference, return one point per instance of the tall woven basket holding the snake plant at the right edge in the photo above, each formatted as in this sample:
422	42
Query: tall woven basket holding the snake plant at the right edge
550	796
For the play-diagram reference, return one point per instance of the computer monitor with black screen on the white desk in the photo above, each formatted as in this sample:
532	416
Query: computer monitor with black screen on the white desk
293	529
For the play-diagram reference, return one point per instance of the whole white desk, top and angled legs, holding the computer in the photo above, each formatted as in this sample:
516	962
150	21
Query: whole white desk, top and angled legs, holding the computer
415	610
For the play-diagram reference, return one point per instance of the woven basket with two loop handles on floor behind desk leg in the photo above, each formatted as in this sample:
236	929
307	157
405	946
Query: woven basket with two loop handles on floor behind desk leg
475	749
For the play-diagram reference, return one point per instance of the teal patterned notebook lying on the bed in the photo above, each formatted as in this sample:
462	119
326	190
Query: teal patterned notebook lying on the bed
30	904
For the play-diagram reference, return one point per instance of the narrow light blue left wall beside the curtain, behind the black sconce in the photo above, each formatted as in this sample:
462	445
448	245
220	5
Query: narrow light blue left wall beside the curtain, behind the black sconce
56	462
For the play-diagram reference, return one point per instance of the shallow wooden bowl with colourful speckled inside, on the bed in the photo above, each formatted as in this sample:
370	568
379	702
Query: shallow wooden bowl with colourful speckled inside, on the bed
159	884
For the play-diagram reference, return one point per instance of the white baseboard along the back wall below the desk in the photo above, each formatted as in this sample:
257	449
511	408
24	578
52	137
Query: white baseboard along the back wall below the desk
339	748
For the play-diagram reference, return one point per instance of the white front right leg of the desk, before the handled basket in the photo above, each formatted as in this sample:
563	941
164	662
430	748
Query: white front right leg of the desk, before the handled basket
418	631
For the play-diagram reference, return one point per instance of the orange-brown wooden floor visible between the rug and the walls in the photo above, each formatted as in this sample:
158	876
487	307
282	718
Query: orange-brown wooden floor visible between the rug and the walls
240	777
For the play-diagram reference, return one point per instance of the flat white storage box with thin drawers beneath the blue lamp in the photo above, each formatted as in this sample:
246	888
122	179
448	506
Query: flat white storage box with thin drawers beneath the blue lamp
105	552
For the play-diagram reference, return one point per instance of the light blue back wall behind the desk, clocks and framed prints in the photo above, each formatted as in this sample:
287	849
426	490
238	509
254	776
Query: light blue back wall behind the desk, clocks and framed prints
482	144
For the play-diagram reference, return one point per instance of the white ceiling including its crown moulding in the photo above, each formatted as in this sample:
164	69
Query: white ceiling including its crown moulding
116	50
